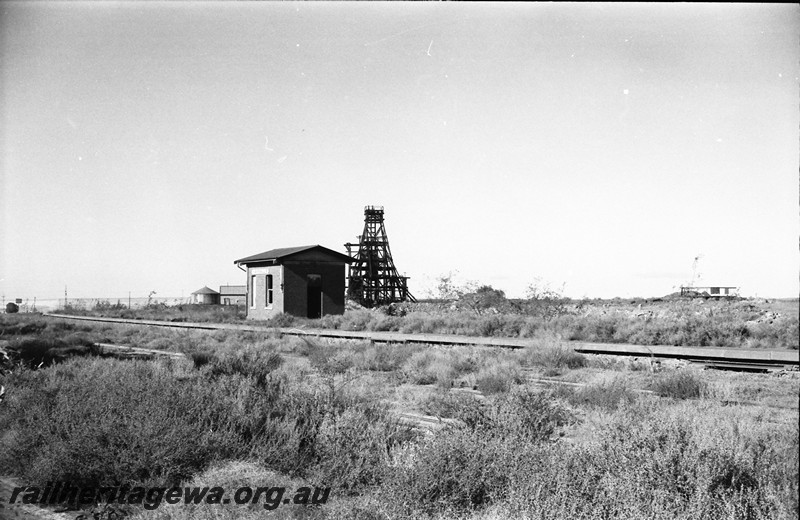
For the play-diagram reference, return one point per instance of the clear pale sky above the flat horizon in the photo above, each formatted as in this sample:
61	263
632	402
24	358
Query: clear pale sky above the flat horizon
597	149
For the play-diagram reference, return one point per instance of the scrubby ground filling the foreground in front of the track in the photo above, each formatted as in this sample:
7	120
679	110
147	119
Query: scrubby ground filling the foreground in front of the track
298	412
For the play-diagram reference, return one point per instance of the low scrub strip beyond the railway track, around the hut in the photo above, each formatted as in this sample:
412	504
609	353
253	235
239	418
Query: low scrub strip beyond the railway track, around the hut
485	311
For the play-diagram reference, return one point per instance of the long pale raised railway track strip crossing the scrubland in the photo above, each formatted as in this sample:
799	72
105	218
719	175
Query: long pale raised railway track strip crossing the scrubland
714	357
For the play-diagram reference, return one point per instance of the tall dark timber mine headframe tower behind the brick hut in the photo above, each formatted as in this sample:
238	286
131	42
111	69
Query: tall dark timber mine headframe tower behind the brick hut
373	278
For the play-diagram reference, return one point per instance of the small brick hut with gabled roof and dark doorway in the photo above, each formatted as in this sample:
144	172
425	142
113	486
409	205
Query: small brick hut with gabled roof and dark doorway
305	281
